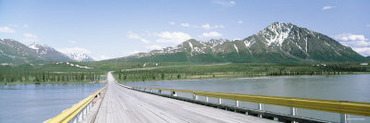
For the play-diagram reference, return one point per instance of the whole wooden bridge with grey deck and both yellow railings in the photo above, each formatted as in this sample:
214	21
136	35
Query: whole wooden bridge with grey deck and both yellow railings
117	103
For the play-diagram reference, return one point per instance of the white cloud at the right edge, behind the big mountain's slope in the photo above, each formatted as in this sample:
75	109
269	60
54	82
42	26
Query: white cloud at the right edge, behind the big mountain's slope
357	42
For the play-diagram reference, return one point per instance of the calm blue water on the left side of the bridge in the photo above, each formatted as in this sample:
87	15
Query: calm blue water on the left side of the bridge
37	103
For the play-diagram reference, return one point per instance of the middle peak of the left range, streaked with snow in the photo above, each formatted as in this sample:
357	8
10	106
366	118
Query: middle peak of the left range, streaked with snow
49	53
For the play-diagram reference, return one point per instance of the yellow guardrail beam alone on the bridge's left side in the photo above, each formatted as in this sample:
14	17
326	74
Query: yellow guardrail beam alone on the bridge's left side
70	113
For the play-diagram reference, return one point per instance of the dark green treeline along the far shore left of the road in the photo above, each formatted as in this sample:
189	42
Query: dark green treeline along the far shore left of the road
13	76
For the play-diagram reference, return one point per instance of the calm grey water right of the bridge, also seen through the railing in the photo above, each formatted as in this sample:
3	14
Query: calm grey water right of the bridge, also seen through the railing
342	87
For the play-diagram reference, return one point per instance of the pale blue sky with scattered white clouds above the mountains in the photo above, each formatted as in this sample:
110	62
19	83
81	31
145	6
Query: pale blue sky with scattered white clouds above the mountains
106	29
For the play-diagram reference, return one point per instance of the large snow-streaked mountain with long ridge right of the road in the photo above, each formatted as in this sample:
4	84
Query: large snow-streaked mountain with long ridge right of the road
279	42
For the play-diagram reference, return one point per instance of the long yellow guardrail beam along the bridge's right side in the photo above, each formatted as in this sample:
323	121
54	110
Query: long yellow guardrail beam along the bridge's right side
343	107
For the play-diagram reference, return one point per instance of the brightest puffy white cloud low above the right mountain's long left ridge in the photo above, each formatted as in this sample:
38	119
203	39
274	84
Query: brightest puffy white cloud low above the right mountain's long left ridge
173	37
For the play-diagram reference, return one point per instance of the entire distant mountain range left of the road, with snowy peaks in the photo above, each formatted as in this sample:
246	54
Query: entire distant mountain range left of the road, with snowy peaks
12	51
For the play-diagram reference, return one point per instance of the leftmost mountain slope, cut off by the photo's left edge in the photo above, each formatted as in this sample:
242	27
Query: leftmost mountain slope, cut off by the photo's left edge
12	51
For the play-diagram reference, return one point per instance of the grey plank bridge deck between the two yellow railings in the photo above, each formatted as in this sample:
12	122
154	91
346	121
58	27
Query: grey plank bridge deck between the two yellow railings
125	105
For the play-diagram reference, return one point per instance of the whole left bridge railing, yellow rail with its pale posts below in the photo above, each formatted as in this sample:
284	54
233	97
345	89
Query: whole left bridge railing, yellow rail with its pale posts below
78	111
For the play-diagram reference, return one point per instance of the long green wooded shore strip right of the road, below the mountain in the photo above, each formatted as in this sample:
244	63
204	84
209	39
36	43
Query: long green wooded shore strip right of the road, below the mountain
237	70
